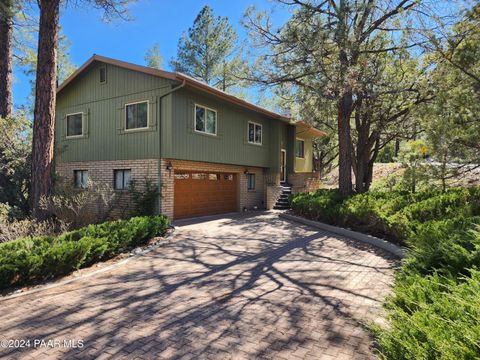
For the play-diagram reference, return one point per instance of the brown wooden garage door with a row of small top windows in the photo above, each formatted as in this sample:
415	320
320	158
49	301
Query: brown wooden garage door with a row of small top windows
200	193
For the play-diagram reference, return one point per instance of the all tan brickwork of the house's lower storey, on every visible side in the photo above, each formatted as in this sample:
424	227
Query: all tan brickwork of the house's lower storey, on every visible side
265	195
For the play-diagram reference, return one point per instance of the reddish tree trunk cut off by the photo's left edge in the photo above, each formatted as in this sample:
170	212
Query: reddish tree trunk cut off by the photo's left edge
6	37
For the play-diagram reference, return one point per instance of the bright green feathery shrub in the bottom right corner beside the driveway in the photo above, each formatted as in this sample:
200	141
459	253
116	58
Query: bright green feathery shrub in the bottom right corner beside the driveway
433	318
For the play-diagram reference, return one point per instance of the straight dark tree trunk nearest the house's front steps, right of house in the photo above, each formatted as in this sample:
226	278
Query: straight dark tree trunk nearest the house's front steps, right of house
344	144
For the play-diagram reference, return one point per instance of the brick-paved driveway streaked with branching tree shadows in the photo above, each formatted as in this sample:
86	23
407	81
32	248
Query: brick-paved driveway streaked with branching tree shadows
240	287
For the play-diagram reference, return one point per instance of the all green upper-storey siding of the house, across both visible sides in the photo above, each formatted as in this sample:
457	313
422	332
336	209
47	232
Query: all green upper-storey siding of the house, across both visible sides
171	131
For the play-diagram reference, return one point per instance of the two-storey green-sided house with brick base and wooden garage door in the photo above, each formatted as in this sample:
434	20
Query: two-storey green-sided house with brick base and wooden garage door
209	151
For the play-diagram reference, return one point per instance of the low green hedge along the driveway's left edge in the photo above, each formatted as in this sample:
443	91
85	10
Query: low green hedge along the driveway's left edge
32	260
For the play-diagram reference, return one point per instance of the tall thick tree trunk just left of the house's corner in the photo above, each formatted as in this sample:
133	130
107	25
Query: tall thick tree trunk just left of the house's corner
45	99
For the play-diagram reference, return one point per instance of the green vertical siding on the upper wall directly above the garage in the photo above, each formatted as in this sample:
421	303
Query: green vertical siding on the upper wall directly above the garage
230	145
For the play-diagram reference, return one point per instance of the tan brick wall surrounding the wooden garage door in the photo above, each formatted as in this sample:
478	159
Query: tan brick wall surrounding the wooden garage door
247	199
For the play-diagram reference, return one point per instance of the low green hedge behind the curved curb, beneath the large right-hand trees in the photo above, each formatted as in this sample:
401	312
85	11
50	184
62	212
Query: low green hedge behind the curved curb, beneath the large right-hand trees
395	215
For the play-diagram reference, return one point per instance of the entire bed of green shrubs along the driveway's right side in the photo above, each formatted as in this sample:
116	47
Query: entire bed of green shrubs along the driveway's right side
434	311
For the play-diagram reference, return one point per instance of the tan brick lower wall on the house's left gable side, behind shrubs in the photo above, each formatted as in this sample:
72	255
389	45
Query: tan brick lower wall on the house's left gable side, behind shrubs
102	172
